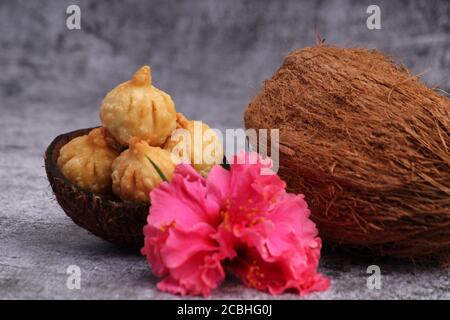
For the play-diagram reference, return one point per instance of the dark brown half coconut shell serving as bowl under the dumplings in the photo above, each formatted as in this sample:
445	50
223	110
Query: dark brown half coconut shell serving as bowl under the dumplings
106	216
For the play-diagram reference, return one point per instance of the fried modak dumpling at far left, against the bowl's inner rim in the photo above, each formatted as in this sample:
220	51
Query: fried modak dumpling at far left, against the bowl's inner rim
86	161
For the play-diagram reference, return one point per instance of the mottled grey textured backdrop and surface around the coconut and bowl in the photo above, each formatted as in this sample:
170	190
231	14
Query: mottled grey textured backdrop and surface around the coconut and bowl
211	56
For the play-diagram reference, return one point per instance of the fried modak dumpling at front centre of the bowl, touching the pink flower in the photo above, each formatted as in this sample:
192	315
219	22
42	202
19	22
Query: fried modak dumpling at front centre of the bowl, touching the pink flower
134	176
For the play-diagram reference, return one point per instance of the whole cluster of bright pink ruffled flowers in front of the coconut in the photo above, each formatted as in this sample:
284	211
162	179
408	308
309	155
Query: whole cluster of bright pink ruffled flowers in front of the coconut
240	218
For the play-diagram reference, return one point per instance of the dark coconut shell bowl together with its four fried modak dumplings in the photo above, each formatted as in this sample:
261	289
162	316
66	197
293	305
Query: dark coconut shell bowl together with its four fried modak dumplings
126	159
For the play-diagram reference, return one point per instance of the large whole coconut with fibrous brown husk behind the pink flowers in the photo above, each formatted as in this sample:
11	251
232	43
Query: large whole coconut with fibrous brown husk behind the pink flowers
368	144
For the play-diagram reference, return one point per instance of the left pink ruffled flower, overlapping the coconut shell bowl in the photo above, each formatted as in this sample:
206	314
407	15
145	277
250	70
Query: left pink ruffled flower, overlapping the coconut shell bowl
179	237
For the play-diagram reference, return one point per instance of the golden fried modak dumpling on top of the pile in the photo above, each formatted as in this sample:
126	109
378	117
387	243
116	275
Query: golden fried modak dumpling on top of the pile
136	108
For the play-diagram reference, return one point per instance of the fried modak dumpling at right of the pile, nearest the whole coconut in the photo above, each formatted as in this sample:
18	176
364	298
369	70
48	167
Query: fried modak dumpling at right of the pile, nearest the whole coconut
196	143
